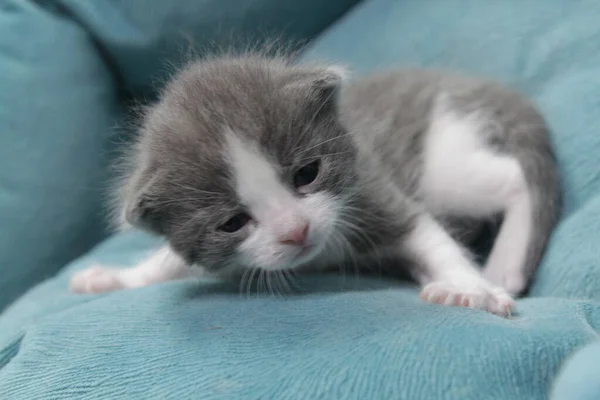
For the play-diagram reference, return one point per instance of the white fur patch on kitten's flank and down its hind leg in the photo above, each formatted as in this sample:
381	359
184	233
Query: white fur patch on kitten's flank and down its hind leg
462	176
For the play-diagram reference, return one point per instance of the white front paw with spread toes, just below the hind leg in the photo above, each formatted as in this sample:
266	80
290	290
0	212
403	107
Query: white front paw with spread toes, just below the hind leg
494	300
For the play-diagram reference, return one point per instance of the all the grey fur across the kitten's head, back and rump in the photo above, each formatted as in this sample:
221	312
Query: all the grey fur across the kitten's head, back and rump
369	133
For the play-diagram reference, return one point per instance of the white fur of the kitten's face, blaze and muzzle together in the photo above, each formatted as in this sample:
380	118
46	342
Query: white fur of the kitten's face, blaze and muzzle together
276	210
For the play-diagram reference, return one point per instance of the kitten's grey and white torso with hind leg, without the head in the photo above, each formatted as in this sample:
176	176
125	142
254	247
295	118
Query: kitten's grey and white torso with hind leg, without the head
467	150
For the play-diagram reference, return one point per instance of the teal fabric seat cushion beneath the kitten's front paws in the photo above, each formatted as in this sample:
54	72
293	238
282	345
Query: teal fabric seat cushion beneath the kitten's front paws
343	339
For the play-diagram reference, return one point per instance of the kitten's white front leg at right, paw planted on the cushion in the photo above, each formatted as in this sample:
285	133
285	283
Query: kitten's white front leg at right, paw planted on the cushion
448	276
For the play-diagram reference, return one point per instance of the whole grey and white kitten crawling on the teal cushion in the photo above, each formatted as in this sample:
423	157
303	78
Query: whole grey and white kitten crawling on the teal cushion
252	163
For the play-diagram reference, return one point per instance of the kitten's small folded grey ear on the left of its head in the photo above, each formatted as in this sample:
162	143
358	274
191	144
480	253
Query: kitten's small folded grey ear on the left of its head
140	205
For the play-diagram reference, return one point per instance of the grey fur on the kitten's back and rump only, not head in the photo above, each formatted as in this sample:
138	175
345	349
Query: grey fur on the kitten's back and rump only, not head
394	134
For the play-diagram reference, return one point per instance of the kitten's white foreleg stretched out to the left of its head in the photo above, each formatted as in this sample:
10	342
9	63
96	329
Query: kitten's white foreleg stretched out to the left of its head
161	266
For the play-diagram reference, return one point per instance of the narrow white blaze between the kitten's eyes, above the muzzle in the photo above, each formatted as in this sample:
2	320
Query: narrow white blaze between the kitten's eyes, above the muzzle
257	181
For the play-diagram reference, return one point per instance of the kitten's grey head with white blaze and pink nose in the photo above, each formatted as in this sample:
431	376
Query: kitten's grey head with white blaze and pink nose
243	163
